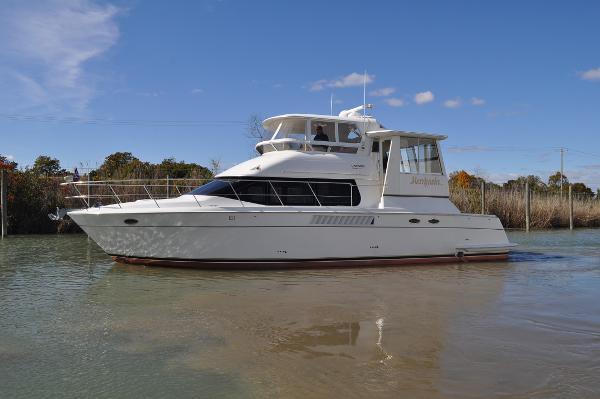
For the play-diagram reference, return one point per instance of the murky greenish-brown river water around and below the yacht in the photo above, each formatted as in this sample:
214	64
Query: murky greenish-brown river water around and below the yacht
75	324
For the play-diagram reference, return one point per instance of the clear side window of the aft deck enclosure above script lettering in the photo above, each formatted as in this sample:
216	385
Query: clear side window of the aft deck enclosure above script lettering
419	155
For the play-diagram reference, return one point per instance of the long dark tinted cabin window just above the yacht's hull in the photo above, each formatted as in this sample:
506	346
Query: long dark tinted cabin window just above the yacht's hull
288	192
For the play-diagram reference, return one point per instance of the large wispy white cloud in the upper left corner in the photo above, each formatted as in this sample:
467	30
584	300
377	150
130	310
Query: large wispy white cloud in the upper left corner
47	46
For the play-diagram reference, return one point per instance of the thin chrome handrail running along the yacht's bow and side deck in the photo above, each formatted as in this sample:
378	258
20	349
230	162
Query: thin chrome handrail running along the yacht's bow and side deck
146	188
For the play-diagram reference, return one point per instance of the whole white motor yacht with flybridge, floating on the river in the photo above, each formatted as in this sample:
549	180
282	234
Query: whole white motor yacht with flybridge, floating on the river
325	191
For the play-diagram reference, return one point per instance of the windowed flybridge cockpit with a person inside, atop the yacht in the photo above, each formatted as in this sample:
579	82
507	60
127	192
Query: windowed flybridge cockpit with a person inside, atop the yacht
314	134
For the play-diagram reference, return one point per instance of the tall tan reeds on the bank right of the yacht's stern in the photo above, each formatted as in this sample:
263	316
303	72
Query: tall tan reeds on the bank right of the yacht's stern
548	210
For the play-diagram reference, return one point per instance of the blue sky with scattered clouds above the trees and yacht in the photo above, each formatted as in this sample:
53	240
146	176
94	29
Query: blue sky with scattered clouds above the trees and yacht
508	82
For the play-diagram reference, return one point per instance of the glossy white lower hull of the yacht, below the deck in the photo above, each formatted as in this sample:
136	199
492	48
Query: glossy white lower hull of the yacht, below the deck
283	235
